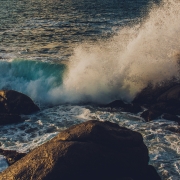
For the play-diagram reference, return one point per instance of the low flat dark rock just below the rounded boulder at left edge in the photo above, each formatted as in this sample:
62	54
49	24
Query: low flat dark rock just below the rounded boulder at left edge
9	119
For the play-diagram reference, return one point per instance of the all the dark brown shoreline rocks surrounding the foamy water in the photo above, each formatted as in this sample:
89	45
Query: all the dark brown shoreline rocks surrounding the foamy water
92	149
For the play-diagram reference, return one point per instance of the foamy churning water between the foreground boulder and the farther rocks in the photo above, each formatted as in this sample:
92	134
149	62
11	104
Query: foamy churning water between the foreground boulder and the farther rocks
163	145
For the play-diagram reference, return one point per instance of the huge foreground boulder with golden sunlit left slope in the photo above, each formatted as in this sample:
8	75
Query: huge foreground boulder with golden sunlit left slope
91	150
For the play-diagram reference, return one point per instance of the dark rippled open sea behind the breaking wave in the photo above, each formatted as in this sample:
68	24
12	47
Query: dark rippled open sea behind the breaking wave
51	29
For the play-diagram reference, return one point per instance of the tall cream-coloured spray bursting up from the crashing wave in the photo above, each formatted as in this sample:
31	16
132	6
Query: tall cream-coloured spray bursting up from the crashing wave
121	66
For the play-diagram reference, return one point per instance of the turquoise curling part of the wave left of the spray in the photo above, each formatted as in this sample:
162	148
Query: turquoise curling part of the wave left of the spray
34	78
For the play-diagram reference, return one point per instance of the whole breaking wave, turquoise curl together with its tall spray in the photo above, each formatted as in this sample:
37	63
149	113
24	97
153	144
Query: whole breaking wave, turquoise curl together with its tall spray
100	72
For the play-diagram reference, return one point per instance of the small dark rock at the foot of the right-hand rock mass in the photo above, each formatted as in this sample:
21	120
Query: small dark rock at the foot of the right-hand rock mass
150	115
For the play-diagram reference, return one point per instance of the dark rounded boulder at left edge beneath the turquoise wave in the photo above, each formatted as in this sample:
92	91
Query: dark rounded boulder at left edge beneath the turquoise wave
14	102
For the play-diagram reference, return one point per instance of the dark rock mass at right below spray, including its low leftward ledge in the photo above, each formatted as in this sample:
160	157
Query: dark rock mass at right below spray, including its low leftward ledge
159	101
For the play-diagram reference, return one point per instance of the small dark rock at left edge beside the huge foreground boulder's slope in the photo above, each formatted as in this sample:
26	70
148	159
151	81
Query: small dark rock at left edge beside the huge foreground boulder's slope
11	156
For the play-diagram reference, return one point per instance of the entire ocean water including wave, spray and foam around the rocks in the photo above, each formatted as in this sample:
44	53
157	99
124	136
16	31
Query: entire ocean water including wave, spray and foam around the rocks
71	56
